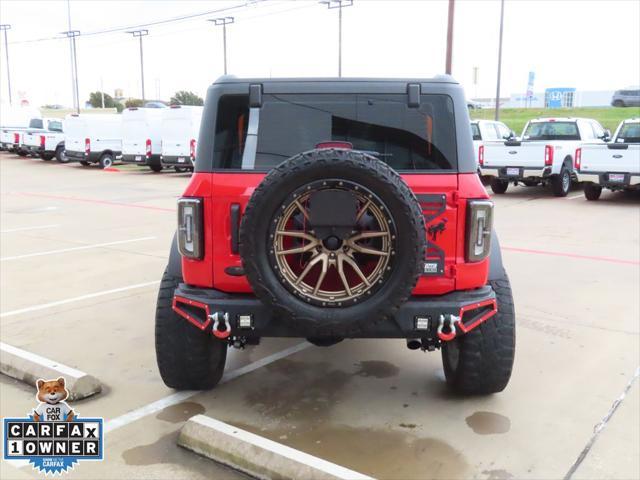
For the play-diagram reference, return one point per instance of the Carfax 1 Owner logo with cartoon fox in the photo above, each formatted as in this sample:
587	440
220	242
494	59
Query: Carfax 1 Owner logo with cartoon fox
53	437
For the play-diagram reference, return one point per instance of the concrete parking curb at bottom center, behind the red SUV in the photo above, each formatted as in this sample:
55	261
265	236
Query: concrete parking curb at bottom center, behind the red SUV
256	456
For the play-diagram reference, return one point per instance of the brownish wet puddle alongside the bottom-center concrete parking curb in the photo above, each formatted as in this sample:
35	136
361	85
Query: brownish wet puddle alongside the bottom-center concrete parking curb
380	453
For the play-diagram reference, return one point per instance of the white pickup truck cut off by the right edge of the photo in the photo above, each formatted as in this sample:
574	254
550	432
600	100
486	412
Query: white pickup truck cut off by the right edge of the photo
615	166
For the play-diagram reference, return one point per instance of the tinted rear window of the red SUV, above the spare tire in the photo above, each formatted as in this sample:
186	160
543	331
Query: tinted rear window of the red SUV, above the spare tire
408	139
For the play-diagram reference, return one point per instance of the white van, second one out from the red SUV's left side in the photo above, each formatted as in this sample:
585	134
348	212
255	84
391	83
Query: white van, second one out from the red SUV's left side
141	139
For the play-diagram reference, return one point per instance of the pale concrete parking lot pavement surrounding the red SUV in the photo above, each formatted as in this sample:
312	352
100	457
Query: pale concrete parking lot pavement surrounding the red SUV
82	251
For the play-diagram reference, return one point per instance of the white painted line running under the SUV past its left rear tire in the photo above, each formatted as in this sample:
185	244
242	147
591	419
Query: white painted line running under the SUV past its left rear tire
178	397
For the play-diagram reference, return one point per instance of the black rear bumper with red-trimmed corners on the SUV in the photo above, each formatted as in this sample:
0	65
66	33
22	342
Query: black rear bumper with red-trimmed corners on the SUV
196	305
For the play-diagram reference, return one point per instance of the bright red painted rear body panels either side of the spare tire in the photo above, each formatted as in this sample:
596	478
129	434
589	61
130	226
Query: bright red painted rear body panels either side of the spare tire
221	190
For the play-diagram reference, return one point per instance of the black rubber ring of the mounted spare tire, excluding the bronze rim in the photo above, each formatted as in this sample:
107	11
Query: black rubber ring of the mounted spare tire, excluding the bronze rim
353	166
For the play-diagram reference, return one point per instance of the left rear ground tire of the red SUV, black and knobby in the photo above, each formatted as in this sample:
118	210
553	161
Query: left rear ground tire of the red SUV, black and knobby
188	359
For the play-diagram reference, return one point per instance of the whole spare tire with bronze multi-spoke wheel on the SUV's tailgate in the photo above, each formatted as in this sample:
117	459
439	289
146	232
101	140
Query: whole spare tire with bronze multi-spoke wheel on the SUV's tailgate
333	240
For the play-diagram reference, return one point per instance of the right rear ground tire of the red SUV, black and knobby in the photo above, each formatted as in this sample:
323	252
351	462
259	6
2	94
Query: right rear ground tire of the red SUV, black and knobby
486	353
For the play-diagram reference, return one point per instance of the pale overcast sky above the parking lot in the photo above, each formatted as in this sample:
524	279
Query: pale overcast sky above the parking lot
590	45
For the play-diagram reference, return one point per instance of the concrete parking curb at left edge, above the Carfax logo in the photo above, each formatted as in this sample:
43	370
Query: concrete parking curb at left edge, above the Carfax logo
29	367
